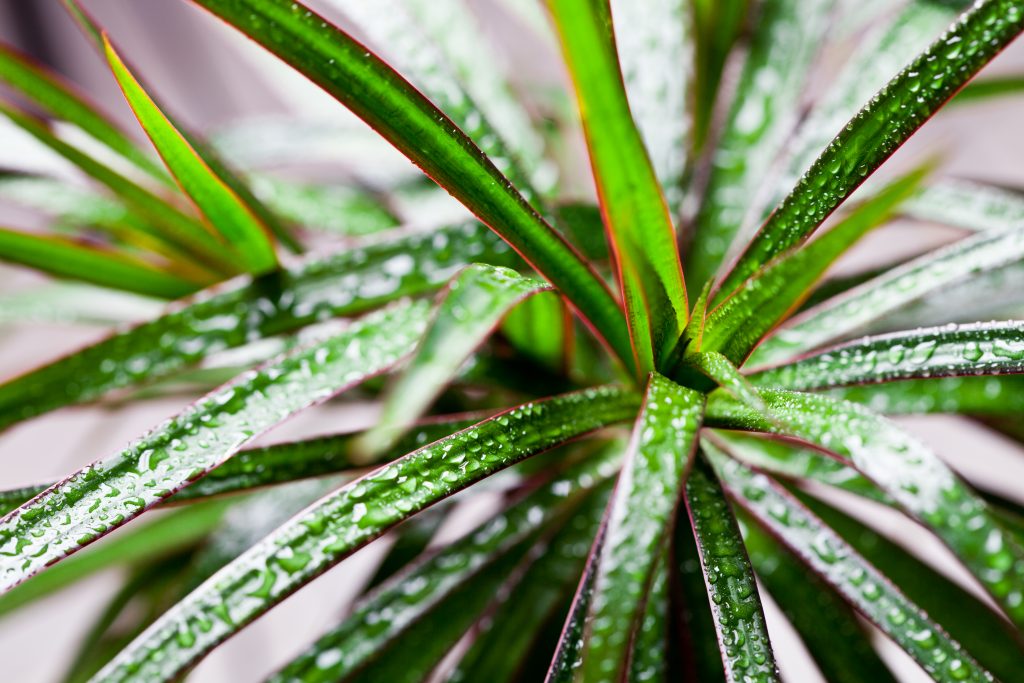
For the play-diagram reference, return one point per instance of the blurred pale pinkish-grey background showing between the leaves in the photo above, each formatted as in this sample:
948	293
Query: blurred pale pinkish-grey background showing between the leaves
230	91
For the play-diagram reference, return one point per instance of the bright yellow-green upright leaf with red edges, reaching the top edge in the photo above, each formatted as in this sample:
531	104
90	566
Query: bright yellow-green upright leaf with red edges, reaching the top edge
637	221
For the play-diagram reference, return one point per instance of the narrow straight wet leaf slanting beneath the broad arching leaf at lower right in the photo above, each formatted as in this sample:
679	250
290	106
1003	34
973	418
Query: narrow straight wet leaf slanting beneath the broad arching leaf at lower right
850	575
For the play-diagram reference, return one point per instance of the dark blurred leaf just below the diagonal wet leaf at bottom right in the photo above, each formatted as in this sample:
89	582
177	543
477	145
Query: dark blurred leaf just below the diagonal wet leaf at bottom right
830	629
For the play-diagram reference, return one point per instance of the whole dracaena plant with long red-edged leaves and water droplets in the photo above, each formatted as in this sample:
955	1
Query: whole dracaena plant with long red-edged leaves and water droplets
666	391
